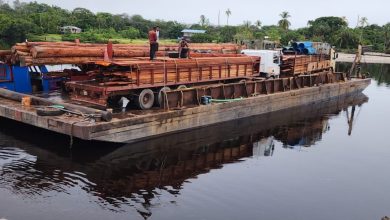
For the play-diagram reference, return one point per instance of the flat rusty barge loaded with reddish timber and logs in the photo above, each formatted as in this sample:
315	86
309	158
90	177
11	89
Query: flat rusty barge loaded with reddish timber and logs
173	95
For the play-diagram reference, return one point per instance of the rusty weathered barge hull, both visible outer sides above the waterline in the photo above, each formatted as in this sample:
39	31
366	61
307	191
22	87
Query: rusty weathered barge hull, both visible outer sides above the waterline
138	127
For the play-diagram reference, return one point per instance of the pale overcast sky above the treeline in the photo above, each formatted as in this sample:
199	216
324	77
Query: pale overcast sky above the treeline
185	11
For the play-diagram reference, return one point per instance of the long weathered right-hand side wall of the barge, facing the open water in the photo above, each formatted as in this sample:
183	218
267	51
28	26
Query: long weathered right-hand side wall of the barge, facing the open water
181	120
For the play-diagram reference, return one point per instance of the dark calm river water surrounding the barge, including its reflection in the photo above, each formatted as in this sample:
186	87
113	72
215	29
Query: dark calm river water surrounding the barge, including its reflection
323	161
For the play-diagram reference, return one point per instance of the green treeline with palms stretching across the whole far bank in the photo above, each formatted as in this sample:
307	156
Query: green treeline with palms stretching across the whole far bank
21	21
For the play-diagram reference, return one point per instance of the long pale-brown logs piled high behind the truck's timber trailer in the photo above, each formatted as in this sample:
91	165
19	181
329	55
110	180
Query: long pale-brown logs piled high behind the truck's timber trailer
51	53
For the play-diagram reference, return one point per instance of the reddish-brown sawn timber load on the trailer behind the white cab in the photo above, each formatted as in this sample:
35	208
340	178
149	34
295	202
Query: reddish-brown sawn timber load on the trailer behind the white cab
182	71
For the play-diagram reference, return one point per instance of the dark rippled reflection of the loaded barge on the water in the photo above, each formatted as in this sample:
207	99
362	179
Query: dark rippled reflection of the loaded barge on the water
135	174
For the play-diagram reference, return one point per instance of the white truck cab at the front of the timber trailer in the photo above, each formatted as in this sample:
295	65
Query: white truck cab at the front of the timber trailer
270	61
